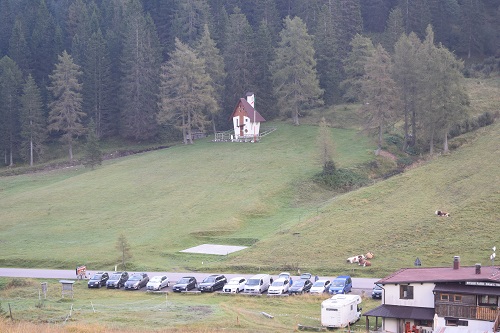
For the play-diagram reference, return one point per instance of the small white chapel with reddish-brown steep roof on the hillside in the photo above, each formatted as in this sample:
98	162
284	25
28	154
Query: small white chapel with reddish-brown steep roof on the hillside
246	120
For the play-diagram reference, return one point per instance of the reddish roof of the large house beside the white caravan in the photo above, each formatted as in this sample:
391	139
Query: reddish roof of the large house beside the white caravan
442	274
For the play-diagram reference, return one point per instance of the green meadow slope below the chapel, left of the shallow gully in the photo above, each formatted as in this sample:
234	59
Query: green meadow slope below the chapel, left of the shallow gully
163	201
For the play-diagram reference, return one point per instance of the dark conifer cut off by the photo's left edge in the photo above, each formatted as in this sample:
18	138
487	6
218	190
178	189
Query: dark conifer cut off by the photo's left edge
10	91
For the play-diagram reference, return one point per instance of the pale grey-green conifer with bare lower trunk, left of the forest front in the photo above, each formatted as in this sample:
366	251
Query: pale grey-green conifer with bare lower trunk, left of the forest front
66	114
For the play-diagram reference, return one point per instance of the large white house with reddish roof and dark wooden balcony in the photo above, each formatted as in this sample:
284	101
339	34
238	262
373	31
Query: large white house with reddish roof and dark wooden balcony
451	299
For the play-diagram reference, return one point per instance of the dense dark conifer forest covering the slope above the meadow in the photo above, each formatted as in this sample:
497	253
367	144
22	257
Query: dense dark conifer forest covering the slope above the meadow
147	70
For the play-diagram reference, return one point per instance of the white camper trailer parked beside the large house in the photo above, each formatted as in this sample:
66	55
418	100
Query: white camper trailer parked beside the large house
340	310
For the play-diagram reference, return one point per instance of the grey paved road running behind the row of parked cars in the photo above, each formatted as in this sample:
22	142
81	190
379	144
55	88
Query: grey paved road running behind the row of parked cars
358	283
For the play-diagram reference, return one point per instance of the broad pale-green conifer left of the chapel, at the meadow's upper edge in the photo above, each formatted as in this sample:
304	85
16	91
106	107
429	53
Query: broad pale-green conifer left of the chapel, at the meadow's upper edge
185	92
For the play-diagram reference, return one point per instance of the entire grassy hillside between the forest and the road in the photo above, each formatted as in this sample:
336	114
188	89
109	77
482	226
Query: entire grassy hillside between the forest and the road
258	195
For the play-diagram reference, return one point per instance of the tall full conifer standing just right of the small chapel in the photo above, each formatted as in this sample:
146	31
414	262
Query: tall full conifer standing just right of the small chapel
294	70
